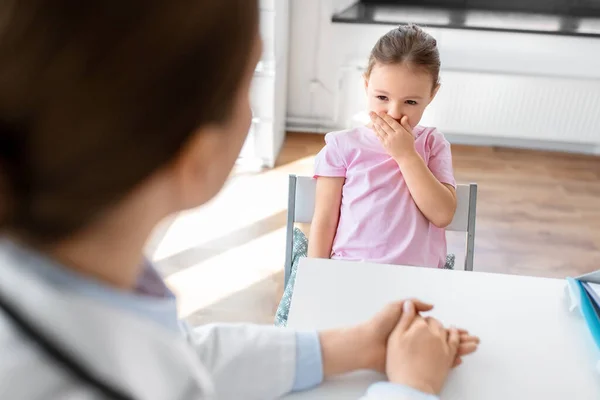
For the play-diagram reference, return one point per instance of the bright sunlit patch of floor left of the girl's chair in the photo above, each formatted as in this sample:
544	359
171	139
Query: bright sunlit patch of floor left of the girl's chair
235	282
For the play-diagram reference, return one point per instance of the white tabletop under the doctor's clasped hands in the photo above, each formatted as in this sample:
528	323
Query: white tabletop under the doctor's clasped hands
532	347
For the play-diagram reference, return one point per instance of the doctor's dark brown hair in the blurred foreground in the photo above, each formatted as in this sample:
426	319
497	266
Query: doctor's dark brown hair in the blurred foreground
96	95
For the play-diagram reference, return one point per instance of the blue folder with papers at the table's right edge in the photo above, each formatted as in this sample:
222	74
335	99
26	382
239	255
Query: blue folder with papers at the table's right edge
585	292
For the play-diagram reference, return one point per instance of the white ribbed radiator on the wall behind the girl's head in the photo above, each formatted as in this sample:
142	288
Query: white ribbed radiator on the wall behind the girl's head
504	105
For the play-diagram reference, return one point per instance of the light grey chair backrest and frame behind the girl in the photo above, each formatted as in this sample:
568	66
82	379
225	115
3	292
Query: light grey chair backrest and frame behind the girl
301	206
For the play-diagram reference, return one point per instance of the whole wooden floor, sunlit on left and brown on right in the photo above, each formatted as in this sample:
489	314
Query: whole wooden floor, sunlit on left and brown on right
538	214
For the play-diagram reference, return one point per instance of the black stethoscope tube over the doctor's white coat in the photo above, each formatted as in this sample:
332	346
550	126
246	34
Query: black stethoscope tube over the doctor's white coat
61	356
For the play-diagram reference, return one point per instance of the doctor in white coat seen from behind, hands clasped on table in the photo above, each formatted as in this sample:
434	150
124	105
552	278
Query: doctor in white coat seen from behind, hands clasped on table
114	115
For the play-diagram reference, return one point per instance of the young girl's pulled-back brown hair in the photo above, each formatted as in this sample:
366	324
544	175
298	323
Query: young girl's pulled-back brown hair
407	44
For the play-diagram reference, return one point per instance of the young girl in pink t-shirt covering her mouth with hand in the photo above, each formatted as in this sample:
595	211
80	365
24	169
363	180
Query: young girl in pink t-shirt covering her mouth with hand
386	191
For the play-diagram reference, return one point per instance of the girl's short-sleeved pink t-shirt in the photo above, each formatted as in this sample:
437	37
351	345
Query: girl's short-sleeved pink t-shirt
379	220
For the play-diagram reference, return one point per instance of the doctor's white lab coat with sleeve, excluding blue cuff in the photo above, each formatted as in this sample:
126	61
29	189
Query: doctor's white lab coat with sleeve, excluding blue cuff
140	357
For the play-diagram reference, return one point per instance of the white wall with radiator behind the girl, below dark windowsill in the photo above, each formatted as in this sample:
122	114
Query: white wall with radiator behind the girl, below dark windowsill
526	87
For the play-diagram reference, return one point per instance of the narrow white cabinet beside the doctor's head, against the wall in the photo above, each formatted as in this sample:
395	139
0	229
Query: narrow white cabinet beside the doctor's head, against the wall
268	92
